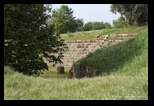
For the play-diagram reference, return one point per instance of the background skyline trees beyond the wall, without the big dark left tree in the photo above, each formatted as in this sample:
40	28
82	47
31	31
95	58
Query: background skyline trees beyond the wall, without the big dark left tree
131	14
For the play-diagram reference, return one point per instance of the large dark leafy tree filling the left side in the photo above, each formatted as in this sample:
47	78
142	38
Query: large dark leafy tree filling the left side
28	39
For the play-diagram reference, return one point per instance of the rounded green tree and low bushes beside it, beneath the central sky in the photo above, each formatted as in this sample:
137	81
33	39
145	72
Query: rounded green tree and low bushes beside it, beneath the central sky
63	21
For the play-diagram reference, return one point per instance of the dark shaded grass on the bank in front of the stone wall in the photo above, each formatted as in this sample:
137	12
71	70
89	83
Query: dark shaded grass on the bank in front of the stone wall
110	59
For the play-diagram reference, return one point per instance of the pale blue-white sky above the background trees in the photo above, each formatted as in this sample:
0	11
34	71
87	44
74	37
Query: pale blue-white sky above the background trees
91	12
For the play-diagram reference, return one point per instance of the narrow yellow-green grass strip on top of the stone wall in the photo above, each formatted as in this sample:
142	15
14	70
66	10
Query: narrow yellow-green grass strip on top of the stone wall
89	35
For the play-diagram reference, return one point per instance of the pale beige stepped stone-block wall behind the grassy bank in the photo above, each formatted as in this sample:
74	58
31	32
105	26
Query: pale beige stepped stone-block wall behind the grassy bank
78	49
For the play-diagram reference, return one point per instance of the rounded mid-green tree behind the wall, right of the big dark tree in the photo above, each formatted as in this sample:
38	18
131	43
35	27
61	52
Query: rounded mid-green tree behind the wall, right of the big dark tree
63	20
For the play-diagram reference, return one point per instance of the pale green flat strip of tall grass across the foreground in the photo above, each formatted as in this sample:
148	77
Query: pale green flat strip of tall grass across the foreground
19	87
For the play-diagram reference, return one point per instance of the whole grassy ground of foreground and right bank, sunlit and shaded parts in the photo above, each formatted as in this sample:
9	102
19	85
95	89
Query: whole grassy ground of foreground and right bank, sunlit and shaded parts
124	76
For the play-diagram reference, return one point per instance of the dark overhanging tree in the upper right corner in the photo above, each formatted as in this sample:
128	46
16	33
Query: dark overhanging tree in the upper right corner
132	12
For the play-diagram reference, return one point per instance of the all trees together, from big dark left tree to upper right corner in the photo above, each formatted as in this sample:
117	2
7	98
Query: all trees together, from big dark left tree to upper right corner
31	34
